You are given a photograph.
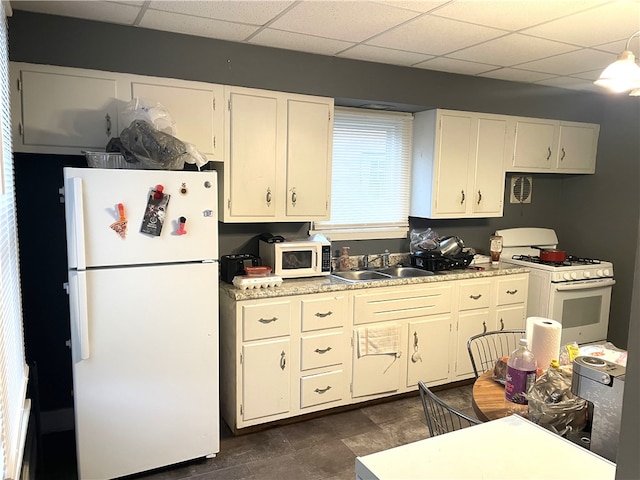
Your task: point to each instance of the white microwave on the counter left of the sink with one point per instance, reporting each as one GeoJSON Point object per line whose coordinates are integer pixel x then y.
{"type": "Point", "coordinates": [297, 258]}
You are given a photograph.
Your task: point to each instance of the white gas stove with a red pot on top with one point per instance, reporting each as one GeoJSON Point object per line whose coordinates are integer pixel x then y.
{"type": "Point", "coordinates": [572, 290]}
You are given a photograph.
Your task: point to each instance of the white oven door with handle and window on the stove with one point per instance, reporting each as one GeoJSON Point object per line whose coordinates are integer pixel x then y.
{"type": "Point", "coordinates": [582, 308]}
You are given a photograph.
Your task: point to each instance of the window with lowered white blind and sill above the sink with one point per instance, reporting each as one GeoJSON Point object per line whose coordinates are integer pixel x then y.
{"type": "Point", "coordinates": [370, 175]}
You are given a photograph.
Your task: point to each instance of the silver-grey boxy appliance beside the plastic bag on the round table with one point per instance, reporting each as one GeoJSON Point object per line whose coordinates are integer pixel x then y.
{"type": "Point", "coordinates": [601, 383]}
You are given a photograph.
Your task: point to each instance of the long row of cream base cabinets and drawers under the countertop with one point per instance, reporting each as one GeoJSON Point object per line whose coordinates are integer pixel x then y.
{"type": "Point", "coordinates": [287, 356]}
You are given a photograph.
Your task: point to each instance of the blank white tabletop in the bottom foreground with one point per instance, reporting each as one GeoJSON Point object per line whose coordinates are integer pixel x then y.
{"type": "Point", "coordinates": [509, 448]}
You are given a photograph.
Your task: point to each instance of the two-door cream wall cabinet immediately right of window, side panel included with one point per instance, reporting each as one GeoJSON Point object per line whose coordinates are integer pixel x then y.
{"type": "Point", "coordinates": [457, 167]}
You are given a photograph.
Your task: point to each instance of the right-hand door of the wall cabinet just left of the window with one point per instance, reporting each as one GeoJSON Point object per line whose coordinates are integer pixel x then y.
{"type": "Point", "coordinates": [309, 140]}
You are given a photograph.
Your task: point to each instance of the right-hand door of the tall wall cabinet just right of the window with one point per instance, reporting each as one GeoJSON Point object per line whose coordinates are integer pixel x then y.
{"type": "Point", "coordinates": [488, 184]}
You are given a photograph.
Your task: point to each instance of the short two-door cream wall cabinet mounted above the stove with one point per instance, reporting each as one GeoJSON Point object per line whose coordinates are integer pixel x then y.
{"type": "Point", "coordinates": [552, 146]}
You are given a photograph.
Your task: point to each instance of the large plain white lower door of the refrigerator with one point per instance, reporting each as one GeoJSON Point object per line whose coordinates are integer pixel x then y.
{"type": "Point", "coordinates": [146, 393]}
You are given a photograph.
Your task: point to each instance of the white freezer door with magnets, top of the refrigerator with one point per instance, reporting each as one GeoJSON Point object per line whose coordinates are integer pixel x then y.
{"type": "Point", "coordinates": [92, 199]}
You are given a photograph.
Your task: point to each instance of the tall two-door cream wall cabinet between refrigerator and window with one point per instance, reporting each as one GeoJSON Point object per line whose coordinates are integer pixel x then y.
{"type": "Point", "coordinates": [278, 160]}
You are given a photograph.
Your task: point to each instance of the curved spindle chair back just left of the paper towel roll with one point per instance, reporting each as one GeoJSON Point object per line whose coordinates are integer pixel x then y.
{"type": "Point", "coordinates": [485, 348]}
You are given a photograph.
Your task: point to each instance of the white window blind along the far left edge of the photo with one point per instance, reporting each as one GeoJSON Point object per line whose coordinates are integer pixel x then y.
{"type": "Point", "coordinates": [14, 407]}
